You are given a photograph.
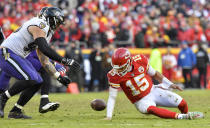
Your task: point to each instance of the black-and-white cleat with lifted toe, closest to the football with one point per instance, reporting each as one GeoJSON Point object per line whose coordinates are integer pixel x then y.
{"type": "Point", "coordinates": [49, 107]}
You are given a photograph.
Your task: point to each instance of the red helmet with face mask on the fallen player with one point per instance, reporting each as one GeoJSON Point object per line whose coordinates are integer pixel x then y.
{"type": "Point", "coordinates": [121, 61]}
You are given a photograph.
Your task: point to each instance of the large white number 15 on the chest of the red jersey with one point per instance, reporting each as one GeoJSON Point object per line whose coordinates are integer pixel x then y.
{"type": "Point", "coordinates": [143, 84]}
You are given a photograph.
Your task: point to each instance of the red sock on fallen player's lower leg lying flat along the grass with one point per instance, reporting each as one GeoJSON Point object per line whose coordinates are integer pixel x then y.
{"type": "Point", "coordinates": [161, 112]}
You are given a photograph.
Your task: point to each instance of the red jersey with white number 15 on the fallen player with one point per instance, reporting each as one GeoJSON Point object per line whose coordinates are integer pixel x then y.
{"type": "Point", "coordinates": [137, 83]}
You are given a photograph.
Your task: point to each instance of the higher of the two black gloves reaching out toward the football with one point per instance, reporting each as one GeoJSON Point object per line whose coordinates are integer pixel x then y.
{"type": "Point", "coordinates": [74, 65]}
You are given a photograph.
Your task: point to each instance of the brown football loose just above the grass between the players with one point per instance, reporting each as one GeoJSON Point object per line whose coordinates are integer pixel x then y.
{"type": "Point", "coordinates": [98, 104]}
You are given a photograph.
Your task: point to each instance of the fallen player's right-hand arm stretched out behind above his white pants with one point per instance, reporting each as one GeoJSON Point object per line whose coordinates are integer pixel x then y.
{"type": "Point", "coordinates": [160, 78]}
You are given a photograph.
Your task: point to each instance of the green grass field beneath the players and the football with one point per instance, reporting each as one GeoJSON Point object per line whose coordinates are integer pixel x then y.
{"type": "Point", "coordinates": [75, 112]}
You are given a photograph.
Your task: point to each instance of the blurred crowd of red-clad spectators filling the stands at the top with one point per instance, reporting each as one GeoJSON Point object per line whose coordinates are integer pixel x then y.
{"type": "Point", "coordinates": [139, 23]}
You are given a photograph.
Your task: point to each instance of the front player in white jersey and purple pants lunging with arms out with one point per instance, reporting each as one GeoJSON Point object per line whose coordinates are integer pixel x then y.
{"type": "Point", "coordinates": [34, 34]}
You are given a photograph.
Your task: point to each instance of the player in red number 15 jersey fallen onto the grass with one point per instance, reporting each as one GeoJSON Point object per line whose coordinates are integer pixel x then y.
{"type": "Point", "coordinates": [133, 74]}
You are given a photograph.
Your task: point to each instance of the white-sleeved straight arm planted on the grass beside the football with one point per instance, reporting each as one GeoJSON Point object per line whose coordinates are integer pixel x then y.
{"type": "Point", "coordinates": [111, 102]}
